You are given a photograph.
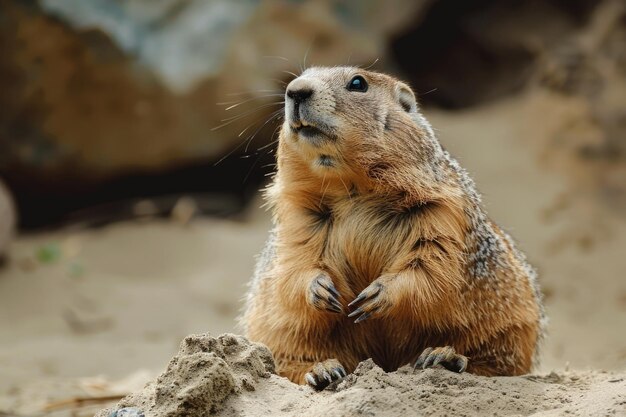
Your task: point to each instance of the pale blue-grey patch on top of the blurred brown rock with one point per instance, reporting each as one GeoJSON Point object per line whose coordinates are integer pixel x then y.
{"type": "Point", "coordinates": [182, 43]}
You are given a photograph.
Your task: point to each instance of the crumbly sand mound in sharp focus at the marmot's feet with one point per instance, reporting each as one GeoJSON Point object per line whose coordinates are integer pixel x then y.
{"type": "Point", "coordinates": [230, 376]}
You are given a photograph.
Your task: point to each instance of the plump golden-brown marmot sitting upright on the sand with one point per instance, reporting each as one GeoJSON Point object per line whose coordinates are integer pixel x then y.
{"type": "Point", "coordinates": [381, 247]}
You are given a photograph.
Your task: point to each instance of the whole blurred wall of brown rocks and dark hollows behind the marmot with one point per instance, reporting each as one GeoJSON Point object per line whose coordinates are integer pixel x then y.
{"type": "Point", "coordinates": [109, 99]}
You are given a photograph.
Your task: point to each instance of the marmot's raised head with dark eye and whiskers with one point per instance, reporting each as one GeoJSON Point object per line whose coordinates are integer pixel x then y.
{"type": "Point", "coordinates": [355, 124]}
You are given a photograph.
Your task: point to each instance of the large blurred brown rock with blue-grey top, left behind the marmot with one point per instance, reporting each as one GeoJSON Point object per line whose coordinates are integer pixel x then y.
{"type": "Point", "coordinates": [98, 88]}
